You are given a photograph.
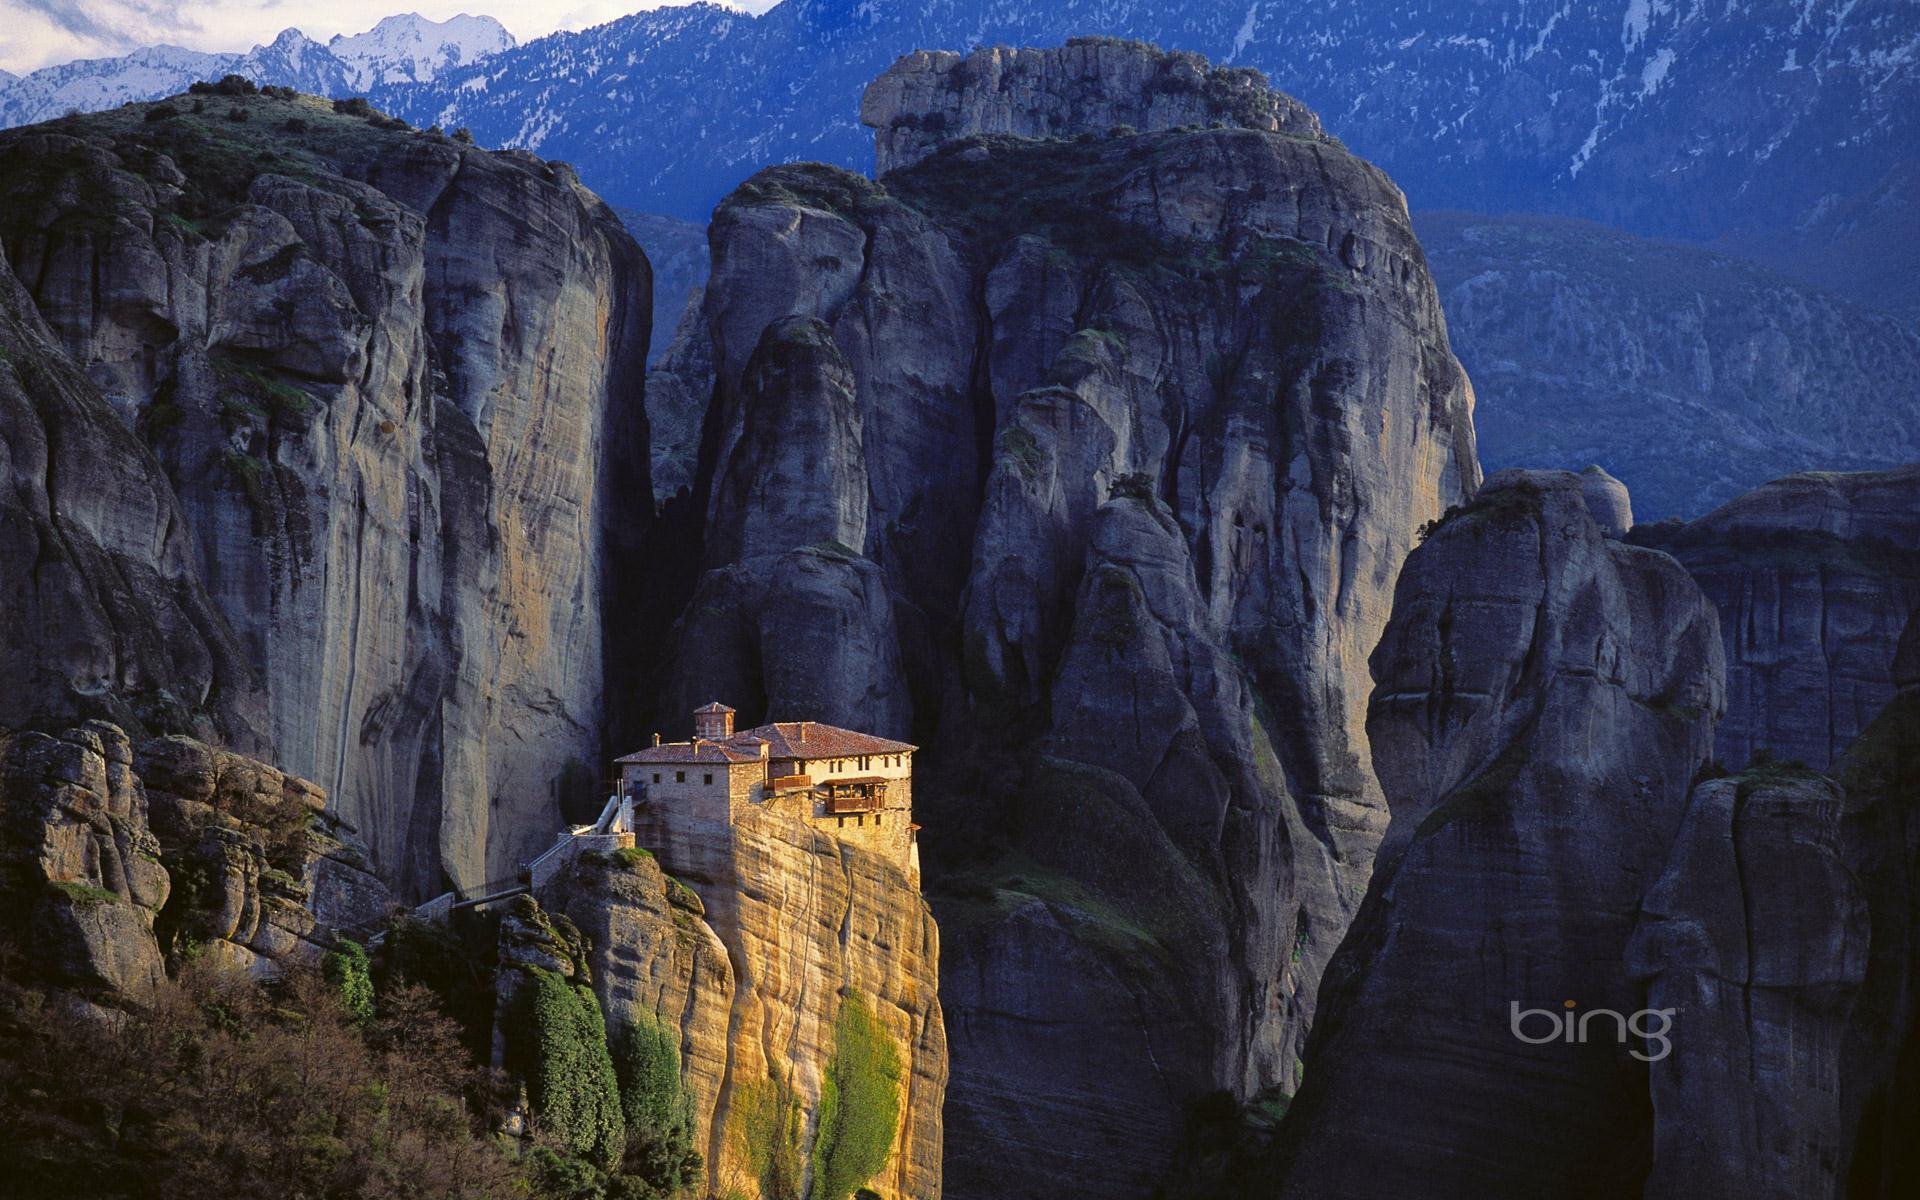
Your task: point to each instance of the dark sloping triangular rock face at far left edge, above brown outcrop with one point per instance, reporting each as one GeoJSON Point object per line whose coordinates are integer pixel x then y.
{"type": "Point", "coordinates": [107, 610]}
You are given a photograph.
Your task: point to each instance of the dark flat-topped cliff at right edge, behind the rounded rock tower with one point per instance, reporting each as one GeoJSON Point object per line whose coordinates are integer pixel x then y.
{"type": "Point", "coordinates": [1815, 579]}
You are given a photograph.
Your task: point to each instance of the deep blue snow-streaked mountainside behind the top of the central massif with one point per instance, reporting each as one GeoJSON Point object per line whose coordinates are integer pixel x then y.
{"type": "Point", "coordinates": [1664, 116]}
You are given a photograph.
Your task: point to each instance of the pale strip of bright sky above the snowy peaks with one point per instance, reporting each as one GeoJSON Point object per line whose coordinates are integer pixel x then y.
{"type": "Point", "coordinates": [36, 34]}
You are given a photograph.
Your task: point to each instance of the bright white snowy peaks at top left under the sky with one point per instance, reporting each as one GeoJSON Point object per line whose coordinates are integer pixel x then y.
{"type": "Point", "coordinates": [406, 49]}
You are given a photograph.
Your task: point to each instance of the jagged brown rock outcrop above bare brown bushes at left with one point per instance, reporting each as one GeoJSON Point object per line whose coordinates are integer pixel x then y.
{"type": "Point", "coordinates": [118, 859]}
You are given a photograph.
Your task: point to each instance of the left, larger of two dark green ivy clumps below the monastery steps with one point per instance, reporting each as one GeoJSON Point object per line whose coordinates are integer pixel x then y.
{"type": "Point", "coordinates": [562, 1051]}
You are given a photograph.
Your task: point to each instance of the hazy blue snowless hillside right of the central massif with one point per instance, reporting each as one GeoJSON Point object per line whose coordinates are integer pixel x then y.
{"type": "Point", "coordinates": [1691, 375]}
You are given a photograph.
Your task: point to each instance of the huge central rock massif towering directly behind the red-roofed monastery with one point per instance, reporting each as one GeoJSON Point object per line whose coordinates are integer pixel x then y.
{"type": "Point", "coordinates": [1088, 466]}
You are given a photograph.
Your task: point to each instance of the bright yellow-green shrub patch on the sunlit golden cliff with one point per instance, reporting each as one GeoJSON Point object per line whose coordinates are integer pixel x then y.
{"type": "Point", "coordinates": [859, 1103]}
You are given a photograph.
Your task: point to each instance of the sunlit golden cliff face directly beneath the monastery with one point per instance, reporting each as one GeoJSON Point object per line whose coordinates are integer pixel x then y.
{"type": "Point", "coordinates": [748, 953]}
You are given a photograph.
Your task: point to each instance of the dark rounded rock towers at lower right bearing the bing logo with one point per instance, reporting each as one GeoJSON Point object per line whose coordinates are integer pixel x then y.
{"type": "Point", "coordinates": [1545, 704]}
